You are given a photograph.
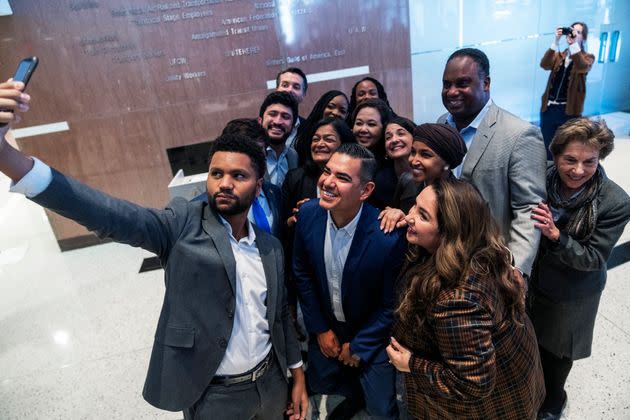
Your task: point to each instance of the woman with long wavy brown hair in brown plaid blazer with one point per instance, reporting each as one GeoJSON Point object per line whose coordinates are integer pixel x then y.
{"type": "Point", "coordinates": [461, 337]}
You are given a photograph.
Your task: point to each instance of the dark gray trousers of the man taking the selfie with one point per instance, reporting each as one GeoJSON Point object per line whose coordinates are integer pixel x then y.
{"type": "Point", "coordinates": [265, 399]}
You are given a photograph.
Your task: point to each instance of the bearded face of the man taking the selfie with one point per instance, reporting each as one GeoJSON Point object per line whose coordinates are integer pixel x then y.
{"type": "Point", "coordinates": [232, 184]}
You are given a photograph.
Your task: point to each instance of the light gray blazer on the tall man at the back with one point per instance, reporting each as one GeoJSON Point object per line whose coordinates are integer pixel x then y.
{"type": "Point", "coordinates": [507, 161]}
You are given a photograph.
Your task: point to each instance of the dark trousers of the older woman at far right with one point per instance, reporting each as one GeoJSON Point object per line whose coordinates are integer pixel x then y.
{"type": "Point", "coordinates": [556, 370]}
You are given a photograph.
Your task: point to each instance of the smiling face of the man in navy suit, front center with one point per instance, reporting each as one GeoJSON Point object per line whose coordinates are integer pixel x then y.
{"type": "Point", "coordinates": [340, 186]}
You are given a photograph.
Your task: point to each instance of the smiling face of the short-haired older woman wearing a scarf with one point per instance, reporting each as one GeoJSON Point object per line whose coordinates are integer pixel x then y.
{"type": "Point", "coordinates": [576, 165]}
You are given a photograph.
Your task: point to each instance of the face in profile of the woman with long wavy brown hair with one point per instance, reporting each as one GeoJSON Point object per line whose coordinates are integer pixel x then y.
{"type": "Point", "coordinates": [422, 224]}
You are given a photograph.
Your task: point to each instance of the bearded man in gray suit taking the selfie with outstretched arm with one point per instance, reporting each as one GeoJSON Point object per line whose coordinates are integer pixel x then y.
{"type": "Point", "coordinates": [224, 339]}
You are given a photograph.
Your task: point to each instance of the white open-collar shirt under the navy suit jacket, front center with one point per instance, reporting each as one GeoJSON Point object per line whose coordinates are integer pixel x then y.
{"type": "Point", "coordinates": [336, 248]}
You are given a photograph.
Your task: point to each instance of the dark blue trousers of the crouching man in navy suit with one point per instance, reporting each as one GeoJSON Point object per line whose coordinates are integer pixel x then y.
{"type": "Point", "coordinates": [375, 382]}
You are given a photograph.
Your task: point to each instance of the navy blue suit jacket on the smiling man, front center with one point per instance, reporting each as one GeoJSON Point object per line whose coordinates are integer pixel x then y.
{"type": "Point", "coordinates": [367, 284]}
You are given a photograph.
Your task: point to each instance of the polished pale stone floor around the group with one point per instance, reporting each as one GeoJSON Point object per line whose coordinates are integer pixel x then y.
{"type": "Point", "coordinates": [76, 328]}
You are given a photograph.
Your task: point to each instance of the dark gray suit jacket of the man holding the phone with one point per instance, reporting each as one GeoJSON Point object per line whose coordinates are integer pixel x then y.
{"type": "Point", "coordinates": [200, 272]}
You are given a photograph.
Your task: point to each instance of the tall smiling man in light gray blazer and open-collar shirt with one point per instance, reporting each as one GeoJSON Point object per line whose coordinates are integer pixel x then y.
{"type": "Point", "coordinates": [506, 157]}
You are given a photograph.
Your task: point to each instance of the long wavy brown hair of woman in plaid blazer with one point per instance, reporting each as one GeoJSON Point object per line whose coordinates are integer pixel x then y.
{"type": "Point", "coordinates": [470, 244]}
